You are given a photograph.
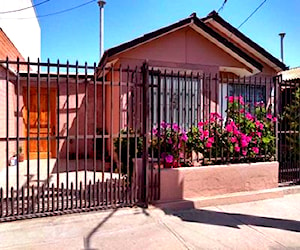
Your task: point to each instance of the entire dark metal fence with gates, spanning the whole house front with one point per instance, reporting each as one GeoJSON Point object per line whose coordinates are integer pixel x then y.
{"type": "Point", "coordinates": [78, 137]}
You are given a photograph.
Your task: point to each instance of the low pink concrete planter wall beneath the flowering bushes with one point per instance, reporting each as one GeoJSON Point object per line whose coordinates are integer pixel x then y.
{"type": "Point", "coordinates": [192, 182]}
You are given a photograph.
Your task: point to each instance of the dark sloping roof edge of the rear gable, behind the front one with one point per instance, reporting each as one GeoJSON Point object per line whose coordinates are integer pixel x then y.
{"type": "Point", "coordinates": [215, 16]}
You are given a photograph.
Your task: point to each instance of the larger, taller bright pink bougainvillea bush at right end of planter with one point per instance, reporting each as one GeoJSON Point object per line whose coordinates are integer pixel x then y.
{"type": "Point", "coordinates": [249, 131]}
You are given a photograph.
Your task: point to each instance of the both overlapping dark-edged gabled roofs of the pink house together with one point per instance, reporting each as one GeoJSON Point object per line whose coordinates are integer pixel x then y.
{"type": "Point", "coordinates": [217, 37]}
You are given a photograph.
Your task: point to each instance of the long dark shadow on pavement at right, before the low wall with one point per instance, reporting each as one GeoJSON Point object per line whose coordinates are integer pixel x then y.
{"type": "Point", "coordinates": [234, 220]}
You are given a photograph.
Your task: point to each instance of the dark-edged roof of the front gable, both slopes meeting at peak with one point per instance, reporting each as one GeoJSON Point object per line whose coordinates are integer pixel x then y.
{"type": "Point", "coordinates": [196, 23]}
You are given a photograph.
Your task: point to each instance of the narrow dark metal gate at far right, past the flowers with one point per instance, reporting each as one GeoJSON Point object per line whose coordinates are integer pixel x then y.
{"type": "Point", "coordinates": [289, 131]}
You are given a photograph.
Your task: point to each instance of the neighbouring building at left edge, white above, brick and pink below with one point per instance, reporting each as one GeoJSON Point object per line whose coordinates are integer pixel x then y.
{"type": "Point", "coordinates": [20, 37]}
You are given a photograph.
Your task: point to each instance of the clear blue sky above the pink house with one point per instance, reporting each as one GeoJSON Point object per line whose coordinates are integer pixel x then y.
{"type": "Point", "coordinates": [74, 35]}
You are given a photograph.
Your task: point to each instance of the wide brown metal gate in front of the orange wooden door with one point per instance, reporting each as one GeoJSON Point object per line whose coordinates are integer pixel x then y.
{"type": "Point", "coordinates": [70, 138]}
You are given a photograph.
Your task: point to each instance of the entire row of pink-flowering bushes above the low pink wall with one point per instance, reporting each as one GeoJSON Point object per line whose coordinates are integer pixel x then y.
{"type": "Point", "coordinates": [245, 134]}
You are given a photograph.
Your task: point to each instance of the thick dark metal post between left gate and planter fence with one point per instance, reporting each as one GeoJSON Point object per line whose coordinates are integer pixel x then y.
{"type": "Point", "coordinates": [145, 129]}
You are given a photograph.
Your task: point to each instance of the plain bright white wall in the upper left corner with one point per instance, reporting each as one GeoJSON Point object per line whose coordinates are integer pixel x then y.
{"type": "Point", "coordinates": [24, 33]}
